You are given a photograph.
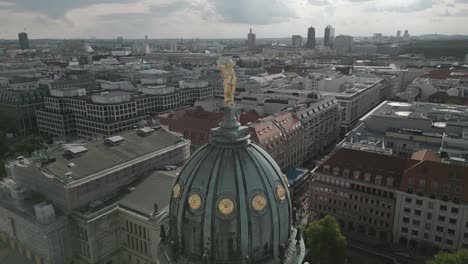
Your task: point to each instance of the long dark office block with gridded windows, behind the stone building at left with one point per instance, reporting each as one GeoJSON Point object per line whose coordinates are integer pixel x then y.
{"type": "Point", "coordinates": [74, 112]}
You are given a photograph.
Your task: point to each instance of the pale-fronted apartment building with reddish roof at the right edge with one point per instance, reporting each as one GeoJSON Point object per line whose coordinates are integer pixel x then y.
{"type": "Point", "coordinates": [432, 210]}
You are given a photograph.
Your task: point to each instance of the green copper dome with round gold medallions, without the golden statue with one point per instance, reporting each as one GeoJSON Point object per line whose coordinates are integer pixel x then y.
{"type": "Point", "coordinates": [230, 204]}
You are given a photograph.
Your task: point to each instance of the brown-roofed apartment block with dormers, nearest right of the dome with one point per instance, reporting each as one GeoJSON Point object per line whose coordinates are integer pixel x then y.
{"type": "Point", "coordinates": [359, 189]}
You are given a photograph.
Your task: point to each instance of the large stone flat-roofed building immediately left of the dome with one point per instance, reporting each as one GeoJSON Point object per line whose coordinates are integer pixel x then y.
{"type": "Point", "coordinates": [90, 202]}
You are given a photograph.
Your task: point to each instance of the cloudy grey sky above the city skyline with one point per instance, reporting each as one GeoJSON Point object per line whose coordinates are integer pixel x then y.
{"type": "Point", "coordinates": [227, 18]}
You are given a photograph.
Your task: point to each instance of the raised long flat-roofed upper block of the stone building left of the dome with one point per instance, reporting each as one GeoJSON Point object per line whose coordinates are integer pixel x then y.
{"type": "Point", "coordinates": [70, 176]}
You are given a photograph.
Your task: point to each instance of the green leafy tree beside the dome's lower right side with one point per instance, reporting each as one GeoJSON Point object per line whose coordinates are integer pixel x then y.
{"type": "Point", "coordinates": [325, 242]}
